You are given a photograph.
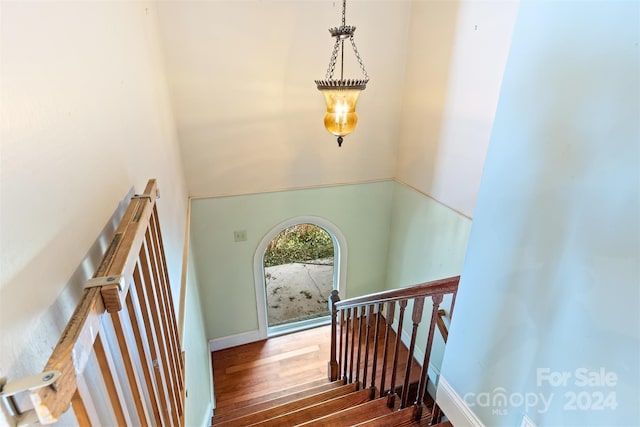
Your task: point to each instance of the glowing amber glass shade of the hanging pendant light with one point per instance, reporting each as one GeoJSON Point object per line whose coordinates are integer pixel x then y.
{"type": "Point", "coordinates": [341, 117]}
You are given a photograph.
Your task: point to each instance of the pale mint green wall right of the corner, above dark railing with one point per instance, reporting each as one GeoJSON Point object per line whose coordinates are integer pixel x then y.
{"type": "Point", "coordinates": [427, 241]}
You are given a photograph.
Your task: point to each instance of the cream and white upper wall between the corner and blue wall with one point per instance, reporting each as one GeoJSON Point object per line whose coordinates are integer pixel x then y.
{"type": "Point", "coordinates": [455, 59]}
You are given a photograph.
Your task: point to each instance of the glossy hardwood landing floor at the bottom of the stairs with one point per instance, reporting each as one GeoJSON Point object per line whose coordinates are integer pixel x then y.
{"type": "Point", "coordinates": [267, 369]}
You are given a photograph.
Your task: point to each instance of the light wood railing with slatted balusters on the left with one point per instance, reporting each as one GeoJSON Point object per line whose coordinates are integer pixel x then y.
{"type": "Point", "coordinates": [118, 360]}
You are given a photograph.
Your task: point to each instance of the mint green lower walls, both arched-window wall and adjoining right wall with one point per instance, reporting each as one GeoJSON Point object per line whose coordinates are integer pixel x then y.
{"type": "Point", "coordinates": [396, 237]}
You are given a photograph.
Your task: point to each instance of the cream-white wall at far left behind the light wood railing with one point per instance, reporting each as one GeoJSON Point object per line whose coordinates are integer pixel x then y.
{"type": "Point", "coordinates": [85, 117]}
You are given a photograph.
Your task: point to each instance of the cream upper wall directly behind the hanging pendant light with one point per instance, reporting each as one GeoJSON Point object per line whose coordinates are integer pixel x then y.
{"type": "Point", "coordinates": [248, 114]}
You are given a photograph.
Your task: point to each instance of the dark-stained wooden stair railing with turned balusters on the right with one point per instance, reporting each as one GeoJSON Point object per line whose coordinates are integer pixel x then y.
{"type": "Point", "coordinates": [360, 326]}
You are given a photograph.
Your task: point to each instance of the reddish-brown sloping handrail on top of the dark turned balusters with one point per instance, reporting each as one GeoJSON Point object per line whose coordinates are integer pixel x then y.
{"type": "Point", "coordinates": [427, 289]}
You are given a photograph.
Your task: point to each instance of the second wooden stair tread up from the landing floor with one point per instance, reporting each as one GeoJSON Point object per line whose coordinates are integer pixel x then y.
{"type": "Point", "coordinates": [288, 407]}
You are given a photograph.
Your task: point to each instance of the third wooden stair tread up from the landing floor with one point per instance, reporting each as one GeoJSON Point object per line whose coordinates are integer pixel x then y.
{"type": "Point", "coordinates": [317, 410]}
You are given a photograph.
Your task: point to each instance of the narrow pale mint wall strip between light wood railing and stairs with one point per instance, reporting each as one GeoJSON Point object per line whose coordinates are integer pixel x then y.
{"type": "Point", "coordinates": [198, 358]}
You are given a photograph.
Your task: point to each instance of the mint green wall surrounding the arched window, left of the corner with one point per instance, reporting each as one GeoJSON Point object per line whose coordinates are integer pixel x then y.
{"type": "Point", "coordinates": [224, 268]}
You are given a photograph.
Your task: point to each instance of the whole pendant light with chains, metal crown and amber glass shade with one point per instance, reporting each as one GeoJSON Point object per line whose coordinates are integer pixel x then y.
{"type": "Point", "coordinates": [341, 95]}
